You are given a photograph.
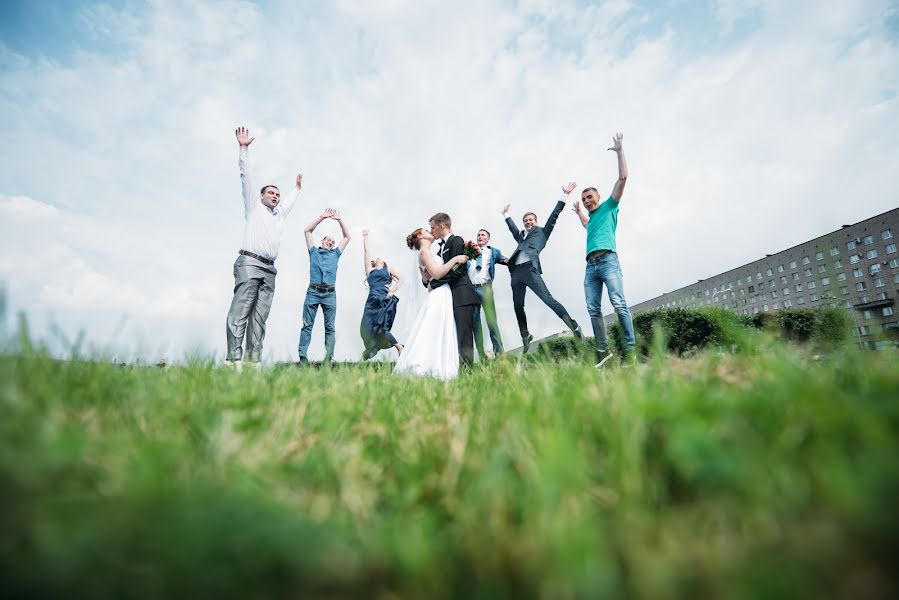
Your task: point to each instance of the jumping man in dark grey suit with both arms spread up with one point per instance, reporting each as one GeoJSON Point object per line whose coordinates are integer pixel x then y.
{"type": "Point", "coordinates": [525, 269]}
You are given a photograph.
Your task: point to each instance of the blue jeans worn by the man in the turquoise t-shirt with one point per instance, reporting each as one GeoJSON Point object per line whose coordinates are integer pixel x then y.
{"type": "Point", "coordinates": [606, 270]}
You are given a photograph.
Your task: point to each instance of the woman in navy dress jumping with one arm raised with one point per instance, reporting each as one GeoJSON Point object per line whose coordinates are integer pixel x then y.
{"type": "Point", "coordinates": [380, 306]}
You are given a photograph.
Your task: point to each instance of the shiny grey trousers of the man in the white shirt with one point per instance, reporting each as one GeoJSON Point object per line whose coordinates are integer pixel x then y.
{"type": "Point", "coordinates": [254, 288]}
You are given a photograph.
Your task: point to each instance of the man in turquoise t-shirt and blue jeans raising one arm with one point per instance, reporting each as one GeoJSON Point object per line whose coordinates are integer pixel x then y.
{"type": "Point", "coordinates": [603, 268]}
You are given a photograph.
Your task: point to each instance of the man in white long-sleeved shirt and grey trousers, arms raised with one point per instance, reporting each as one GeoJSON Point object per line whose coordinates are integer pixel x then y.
{"type": "Point", "coordinates": [254, 269]}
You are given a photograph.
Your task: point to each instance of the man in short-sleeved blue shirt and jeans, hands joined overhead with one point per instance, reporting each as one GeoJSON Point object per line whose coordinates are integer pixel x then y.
{"type": "Point", "coordinates": [322, 278]}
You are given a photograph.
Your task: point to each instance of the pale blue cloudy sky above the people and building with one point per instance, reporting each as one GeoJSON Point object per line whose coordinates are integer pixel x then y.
{"type": "Point", "coordinates": [749, 126]}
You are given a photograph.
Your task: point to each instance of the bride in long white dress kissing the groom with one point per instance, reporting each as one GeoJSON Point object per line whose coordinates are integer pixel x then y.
{"type": "Point", "coordinates": [431, 347]}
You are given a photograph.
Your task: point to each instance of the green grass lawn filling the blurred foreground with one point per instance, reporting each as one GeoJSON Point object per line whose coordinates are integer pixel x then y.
{"type": "Point", "coordinates": [766, 474]}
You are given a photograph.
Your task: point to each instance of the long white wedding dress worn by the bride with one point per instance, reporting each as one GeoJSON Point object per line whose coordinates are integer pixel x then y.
{"type": "Point", "coordinates": [431, 348]}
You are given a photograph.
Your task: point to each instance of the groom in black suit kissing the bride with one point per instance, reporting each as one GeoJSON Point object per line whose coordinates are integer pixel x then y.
{"type": "Point", "coordinates": [464, 295]}
